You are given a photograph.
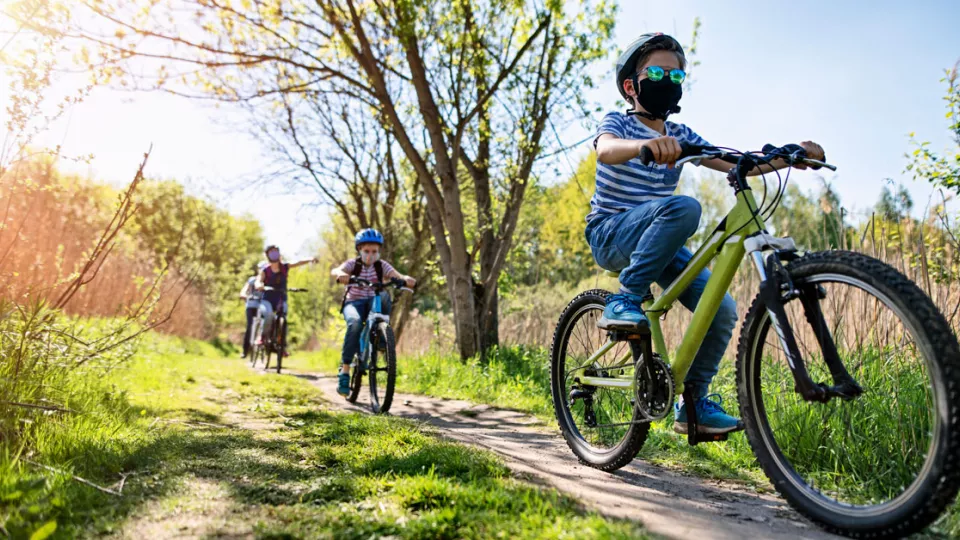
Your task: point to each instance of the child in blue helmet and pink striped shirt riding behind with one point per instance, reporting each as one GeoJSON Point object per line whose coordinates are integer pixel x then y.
{"type": "Point", "coordinates": [358, 300]}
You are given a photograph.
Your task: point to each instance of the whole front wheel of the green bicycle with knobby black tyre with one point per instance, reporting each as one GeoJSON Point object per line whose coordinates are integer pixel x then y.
{"type": "Point", "coordinates": [884, 463]}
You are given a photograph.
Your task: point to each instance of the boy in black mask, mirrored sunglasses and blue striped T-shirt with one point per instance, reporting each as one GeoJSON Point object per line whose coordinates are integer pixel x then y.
{"type": "Point", "coordinates": [638, 227]}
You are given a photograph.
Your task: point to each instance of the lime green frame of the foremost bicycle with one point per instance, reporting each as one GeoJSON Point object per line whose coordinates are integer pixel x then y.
{"type": "Point", "coordinates": [726, 246]}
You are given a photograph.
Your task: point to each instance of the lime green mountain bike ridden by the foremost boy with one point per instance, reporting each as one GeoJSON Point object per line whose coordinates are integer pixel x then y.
{"type": "Point", "coordinates": [874, 452]}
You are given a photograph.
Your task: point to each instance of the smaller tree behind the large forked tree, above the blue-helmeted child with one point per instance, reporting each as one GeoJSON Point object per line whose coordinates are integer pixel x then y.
{"type": "Point", "coordinates": [357, 168]}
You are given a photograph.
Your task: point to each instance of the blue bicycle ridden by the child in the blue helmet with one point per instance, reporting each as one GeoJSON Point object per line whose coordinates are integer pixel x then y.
{"type": "Point", "coordinates": [377, 358]}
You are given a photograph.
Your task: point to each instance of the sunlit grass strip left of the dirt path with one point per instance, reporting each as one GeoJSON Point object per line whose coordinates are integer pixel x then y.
{"type": "Point", "coordinates": [211, 447]}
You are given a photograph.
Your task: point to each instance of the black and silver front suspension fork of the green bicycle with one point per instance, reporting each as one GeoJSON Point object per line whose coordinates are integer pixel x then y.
{"type": "Point", "coordinates": [776, 287]}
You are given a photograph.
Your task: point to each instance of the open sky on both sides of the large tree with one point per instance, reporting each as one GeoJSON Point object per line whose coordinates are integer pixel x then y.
{"type": "Point", "coordinates": [856, 77]}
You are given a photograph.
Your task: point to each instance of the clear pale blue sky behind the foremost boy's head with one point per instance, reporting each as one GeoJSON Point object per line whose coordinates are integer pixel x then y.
{"type": "Point", "coordinates": [857, 77]}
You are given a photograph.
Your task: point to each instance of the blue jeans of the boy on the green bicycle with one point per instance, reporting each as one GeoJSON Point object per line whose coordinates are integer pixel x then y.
{"type": "Point", "coordinates": [645, 244]}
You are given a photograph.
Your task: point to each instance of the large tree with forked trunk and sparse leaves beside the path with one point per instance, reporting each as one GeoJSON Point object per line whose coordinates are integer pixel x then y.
{"type": "Point", "coordinates": [472, 84]}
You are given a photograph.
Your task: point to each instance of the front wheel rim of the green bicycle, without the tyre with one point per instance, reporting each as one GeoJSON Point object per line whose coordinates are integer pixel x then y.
{"type": "Point", "coordinates": [864, 457]}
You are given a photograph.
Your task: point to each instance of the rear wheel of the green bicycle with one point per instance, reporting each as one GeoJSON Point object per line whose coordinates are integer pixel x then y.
{"type": "Point", "coordinates": [598, 423]}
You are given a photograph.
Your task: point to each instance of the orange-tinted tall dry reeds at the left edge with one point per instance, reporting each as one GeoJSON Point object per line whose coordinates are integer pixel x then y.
{"type": "Point", "coordinates": [50, 228]}
